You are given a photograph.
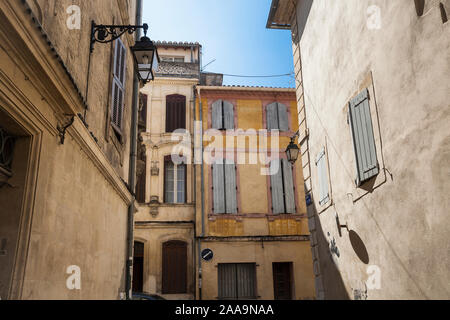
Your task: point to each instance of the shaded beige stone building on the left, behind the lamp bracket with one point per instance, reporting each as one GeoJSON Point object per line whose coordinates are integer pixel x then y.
{"type": "Point", "coordinates": [65, 149]}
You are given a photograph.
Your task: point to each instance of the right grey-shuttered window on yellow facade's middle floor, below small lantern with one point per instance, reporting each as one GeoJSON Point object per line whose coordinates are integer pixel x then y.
{"type": "Point", "coordinates": [282, 187]}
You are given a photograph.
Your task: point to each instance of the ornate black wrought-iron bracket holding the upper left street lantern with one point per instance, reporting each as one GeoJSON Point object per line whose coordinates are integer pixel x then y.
{"type": "Point", "coordinates": [108, 33]}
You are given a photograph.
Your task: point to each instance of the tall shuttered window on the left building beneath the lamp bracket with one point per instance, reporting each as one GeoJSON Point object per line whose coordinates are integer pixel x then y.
{"type": "Point", "coordinates": [118, 85]}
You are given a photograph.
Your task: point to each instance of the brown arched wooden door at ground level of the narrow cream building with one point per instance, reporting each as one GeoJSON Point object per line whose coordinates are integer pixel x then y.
{"type": "Point", "coordinates": [174, 267]}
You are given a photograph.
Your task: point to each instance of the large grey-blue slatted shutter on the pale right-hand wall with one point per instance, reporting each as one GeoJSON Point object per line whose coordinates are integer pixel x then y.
{"type": "Point", "coordinates": [363, 137]}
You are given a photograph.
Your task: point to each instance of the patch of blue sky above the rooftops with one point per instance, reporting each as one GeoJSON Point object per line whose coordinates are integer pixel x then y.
{"type": "Point", "coordinates": [231, 31]}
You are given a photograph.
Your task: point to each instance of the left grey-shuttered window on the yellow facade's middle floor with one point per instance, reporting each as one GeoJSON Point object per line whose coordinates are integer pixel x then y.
{"type": "Point", "coordinates": [224, 187]}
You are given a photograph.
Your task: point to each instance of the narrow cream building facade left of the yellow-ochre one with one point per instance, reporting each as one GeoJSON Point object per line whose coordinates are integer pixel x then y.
{"type": "Point", "coordinates": [164, 223]}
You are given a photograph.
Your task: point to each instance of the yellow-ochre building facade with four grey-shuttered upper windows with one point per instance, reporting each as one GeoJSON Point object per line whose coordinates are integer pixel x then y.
{"type": "Point", "coordinates": [251, 226]}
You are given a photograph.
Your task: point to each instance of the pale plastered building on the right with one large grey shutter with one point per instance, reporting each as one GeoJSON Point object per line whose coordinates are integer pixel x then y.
{"type": "Point", "coordinates": [373, 105]}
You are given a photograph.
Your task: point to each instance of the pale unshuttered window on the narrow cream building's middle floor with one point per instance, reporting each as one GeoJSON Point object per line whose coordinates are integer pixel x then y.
{"type": "Point", "coordinates": [174, 181]}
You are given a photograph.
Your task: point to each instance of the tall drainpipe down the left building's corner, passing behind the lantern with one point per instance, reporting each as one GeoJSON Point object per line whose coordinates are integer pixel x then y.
{"type": "Point", "coordinates": [132, 168]}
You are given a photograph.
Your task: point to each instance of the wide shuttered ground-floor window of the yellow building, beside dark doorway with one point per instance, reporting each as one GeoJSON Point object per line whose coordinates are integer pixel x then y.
{"type": "Point", "coordinates": [237, 281]}
